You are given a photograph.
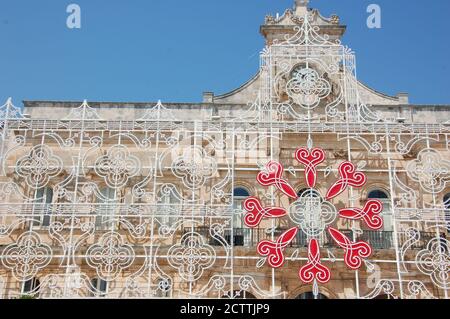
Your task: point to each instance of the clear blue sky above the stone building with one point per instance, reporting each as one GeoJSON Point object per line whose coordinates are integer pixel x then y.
{"type": "Point", "coordinates": [145, 50]}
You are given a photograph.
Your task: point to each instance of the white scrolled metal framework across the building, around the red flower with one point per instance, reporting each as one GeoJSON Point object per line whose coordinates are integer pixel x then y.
{"type": "Point", "coordinates": [144, 208]}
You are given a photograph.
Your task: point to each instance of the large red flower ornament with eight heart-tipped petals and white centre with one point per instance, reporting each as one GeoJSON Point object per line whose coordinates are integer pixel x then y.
{"type": "Point", "coordinates": [313, 215]}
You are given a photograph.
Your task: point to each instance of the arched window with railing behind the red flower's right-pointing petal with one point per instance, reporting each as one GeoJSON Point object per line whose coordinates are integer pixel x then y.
{"type": "Point", "coordinates": [383, 239]}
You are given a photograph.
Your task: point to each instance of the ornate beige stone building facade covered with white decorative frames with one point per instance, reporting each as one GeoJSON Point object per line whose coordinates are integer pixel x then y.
{"type": "Point", "coordinates": [263, 192]}
